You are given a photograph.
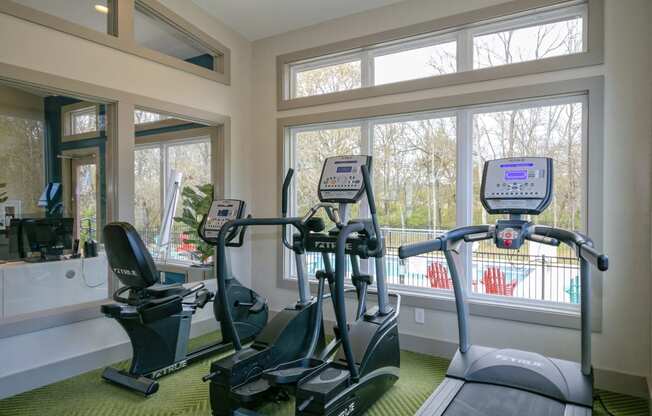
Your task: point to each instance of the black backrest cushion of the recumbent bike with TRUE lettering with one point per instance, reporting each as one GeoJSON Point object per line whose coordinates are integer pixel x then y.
{"type": "Point", "coordinates": [128, 256]}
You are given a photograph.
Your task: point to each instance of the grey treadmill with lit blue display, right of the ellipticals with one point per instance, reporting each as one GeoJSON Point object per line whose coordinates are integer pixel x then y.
{"type": "Point", "coordinates": [509, 382]}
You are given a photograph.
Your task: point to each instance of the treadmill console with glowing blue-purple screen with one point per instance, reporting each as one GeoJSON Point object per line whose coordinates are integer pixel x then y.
{"type": "Point", "coordinates": [520, 185]}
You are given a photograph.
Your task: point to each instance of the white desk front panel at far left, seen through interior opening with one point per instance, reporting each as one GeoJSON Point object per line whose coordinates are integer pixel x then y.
{"type": "Point", "coordinates": [30, 287]}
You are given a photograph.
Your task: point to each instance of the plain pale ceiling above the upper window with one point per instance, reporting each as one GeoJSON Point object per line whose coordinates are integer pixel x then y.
{"type": "Point", "coordinates": [257, 19]}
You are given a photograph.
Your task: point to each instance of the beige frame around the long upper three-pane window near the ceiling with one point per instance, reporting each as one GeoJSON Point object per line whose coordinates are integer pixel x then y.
{"type": "Point", "coordinates": [460, 27]}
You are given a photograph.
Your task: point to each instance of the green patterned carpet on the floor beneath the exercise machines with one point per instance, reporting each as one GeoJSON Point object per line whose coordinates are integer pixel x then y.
{"type": "Point", "coordinates": [184, 394]}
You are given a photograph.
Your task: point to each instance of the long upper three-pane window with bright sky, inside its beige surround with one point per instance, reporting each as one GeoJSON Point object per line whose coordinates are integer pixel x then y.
{"type": "Point", "coordinates": [542, 33]}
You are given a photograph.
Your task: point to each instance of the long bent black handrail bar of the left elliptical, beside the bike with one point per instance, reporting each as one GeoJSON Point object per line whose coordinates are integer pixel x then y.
{"type": "Point", "coordinates": [221, 265]}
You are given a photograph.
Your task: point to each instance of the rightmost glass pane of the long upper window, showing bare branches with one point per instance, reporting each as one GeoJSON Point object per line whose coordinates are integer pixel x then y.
{"type": "Point", "coordinates": [528, 43]}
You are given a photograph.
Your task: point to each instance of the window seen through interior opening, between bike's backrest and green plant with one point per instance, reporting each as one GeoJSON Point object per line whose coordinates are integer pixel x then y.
{"type": "Point", "coordinates": [156, 167]}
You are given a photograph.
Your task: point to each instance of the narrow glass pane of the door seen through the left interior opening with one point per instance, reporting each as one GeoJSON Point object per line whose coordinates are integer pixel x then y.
{"type": "Point", "coordinates": [87, 202]}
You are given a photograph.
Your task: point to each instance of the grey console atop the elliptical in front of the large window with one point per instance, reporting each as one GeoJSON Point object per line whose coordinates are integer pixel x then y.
{"type": "Point", "coordinates": [341, 179]}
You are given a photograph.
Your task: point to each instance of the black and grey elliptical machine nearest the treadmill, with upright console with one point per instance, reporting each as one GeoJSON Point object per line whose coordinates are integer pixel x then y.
{"type": "Point", "coordinates": [368, 362]}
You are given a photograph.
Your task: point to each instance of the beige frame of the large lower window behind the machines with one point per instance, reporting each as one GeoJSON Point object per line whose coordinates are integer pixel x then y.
{"type": "Point", "coordinates": [589, 90]}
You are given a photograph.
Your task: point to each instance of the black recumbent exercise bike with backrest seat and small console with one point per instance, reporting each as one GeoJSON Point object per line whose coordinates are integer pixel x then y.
{"type": "Point", "coordinates": [157, 317]}
